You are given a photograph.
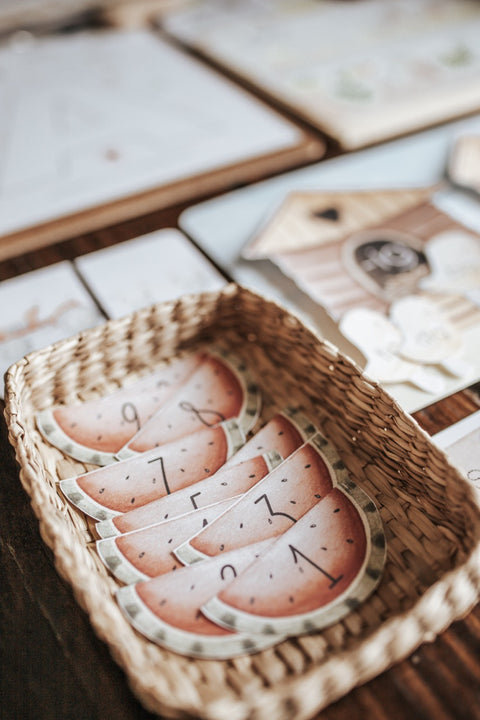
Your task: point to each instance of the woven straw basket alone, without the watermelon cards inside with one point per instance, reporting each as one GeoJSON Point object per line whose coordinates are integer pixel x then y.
{"type": "Point", "coordinates": [431, 518]}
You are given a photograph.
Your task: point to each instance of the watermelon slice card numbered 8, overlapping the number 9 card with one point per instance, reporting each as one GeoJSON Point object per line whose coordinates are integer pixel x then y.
{"type": "Point", "coordinates": [220, 389]}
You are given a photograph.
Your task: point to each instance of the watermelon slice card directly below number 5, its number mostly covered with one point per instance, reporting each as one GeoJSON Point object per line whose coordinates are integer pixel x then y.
{"type": "Point", "coordinates": [146, 553]}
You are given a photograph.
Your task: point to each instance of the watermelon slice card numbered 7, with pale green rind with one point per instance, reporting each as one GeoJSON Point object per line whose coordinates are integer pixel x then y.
{"type": "Point", "coordinates": [117, 488]}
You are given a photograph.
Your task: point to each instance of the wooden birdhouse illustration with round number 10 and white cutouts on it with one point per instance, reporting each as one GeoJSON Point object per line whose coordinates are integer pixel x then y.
{"type": "Point", "coordinates": [399, 275]}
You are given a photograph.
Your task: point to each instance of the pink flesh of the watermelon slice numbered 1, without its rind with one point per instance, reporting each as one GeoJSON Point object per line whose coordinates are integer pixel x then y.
{"type": "Point", "coordinates": [308, 567]}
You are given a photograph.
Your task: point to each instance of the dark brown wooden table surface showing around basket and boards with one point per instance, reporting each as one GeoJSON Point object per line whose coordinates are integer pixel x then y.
{"type": "Point", "coordinates": [53, 665]}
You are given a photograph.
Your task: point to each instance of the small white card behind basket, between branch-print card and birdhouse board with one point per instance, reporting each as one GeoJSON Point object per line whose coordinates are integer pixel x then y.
{"type": "Point", "coordinates": [156, 267]}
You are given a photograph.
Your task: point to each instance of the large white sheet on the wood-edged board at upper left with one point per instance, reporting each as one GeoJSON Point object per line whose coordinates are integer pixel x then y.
{"type": "Point", "coordinates": [94, 117]}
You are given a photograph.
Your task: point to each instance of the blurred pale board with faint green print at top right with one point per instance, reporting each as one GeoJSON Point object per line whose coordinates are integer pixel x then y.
{"type": "Point", "coordinates": [360, 71]}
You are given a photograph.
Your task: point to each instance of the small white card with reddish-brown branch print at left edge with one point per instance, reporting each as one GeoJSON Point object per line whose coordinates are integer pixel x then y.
{"type": "Point", "coordinates": [43, 306]}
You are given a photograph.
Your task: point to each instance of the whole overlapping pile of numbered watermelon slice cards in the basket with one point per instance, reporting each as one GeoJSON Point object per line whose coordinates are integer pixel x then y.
{"type": "Point", "coordinates": [227, 540]}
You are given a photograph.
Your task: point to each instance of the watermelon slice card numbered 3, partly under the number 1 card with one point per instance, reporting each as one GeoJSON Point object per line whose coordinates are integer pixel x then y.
{"type": "Point", "coordinates": [273, 505]}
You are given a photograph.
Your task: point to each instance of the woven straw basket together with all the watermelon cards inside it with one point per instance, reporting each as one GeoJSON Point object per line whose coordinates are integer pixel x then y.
{"type": "Point", "coordinates": [253, 525]}
